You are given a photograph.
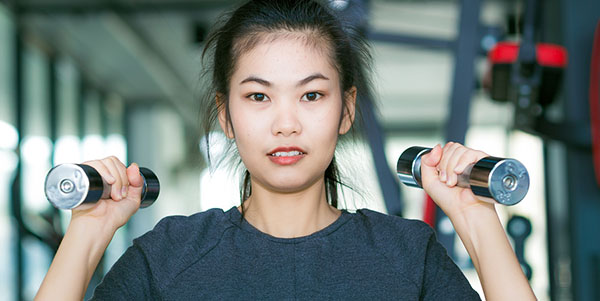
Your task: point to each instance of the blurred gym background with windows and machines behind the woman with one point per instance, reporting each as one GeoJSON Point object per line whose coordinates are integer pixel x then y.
{"type": "Point", "coordinates": [84, 79]}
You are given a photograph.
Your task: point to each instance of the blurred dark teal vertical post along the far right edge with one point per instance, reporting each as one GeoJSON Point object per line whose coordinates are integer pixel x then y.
{"type": "Point", "coordinates": [579, 21]}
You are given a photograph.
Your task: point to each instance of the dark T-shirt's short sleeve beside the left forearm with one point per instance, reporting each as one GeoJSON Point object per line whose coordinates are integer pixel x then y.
{"type": "Point", "coordinates": [128, 279]}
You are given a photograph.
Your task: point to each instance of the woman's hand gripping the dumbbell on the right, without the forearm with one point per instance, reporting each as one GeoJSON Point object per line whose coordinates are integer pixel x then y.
{"type": "Point", "coordinates": [439, 174]}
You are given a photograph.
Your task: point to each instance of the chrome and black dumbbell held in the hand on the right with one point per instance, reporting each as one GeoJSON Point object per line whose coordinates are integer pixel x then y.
{"type": "Point", "coordinates": [497, 180]}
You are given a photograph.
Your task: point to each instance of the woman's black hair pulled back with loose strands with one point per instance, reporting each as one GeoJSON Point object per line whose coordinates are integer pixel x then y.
{"type": "Point", "coordinates": [250, 24]}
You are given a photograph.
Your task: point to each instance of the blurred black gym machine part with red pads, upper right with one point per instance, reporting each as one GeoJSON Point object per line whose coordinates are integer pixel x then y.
{"type": "Point", "coordinates": [528, 74]}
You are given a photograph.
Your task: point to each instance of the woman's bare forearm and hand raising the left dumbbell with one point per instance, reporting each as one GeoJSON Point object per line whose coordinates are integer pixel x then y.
{"type": "Point", "coordinates": [90, 231]}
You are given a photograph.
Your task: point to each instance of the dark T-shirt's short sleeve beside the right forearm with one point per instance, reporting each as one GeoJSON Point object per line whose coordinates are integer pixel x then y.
{"type": "Point", "coordinates": [442, 279]}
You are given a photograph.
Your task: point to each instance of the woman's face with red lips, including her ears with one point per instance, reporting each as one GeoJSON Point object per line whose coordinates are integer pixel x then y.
{"type": "Point", "coordinates": [285, 106]}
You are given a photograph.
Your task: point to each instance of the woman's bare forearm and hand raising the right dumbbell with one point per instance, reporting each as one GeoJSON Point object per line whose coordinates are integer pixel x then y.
{"type": "Point", "coordinates": [476, 223]}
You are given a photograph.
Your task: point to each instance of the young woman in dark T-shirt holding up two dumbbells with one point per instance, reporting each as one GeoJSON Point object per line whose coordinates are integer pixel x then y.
{"type": "Point", "coordinates": [287, 78]}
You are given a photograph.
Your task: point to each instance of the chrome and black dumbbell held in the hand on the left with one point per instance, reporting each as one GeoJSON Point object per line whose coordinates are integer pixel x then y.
{"type": "Point", "coordinates": [70, 185]}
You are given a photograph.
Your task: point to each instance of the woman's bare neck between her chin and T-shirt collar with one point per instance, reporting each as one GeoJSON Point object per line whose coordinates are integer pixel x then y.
{"type": "Point", "coordinates": [289, 215]}
